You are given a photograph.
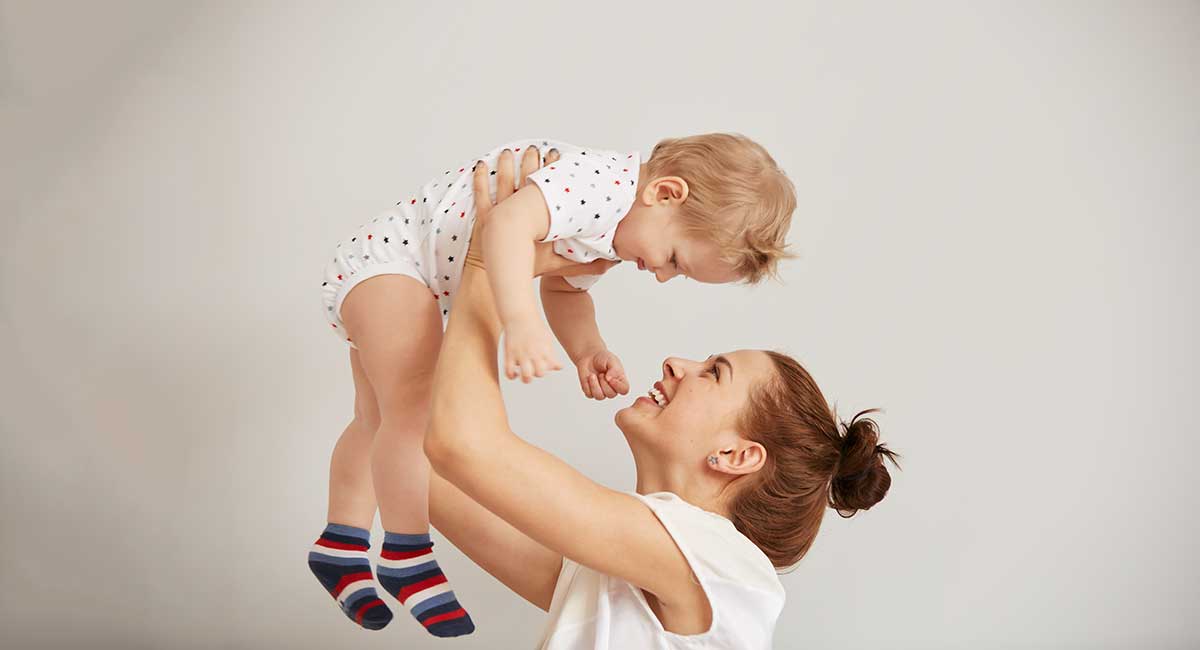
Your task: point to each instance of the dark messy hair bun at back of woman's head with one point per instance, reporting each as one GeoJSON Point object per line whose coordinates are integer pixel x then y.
{"type": "Point", "coordinates": [861, 480]}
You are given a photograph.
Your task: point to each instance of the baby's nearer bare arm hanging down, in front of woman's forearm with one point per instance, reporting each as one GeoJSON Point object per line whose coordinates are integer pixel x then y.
{"type": "Point", "coordinates": [509, 238]}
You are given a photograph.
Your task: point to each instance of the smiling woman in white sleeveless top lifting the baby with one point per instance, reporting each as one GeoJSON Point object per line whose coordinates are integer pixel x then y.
{"type": "Point", "coordinates": [737, 459]}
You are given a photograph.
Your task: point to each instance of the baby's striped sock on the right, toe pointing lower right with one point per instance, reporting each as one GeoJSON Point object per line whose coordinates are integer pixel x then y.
{"type": "Point", "coordinates": [409, 571]}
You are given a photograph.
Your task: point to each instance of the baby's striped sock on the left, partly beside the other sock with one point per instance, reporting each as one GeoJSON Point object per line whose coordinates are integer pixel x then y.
{"type": "Point", "coordinates": [339, 559]}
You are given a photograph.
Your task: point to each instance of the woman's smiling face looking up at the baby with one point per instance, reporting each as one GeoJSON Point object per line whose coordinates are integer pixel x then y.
{"type": "Point", "coordinates": [703, 404]}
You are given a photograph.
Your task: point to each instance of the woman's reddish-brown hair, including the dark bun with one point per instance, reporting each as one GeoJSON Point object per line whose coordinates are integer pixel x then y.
{"type": "Point", "coordinates": [813, 462]}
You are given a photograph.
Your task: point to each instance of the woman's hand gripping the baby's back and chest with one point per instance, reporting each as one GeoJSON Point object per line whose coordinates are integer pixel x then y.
{"type": "Point", "coordinates": [547, 261]}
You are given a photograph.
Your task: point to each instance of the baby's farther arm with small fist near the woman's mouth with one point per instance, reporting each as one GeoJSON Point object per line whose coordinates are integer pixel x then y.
{"type": "Point", "coordinates": [572, 316]}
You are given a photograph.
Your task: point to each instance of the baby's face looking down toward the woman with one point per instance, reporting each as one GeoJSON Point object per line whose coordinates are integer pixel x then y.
{"type": "Point", "coordinates": [656, 240]}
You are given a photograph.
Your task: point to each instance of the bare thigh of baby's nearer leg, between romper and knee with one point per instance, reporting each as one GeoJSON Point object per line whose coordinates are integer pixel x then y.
{"type": "Point", "coordinates": [397, 326]}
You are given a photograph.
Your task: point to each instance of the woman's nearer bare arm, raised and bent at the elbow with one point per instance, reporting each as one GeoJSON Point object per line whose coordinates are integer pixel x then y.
{"type": "Point", "coordinates": [470, 444]}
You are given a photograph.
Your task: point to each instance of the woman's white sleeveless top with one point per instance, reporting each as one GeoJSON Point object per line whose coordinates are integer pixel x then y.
{"type": "Point", "coordinates": [598, 612]}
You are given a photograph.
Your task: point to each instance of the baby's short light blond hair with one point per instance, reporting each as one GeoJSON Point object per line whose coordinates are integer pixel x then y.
{"type": "Point", "coordinates": [737, 198]}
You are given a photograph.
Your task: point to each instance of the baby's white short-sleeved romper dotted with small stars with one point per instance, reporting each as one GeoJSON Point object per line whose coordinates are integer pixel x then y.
{"type": "Point", "coordinates": [425, 236]}
